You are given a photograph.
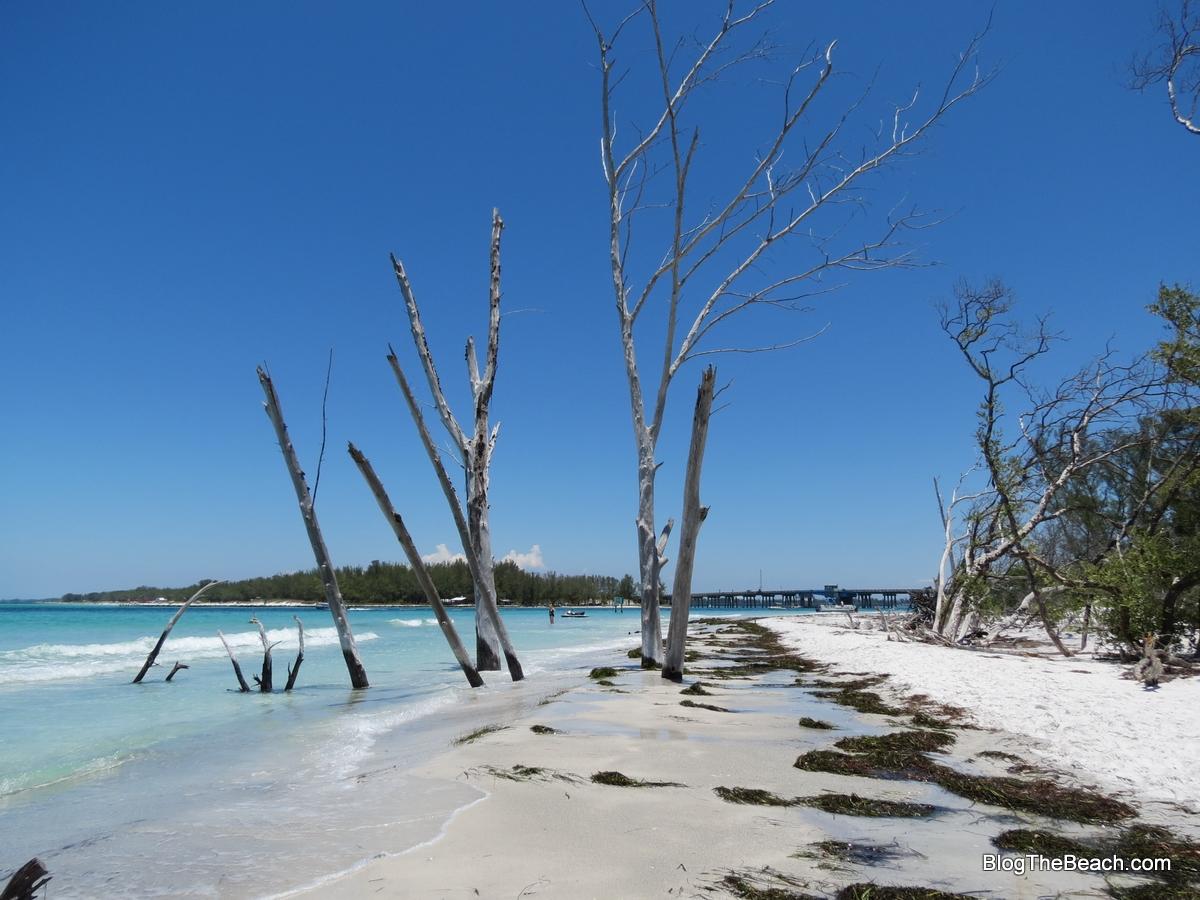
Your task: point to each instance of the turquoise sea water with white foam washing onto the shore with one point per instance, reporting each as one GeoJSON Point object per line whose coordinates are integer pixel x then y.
{"type": "Point", "coordinates": [193, 789]}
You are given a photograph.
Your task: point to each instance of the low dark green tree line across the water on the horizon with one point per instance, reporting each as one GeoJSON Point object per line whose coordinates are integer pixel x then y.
{"type": "Point", "coordinates": [385, 583]}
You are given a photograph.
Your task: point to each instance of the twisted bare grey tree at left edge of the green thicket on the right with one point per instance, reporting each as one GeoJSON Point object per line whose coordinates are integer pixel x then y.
{"type": "Point", "coordinates": [1029, 470]}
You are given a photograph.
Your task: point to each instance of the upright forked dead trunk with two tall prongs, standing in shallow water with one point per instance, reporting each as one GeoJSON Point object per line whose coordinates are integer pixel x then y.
{"type": "Point", "coordinates": [477, 447]}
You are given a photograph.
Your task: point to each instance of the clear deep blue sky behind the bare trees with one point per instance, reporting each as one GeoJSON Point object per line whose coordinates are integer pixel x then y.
{"type": "Point", "coordinates": [190, 190]}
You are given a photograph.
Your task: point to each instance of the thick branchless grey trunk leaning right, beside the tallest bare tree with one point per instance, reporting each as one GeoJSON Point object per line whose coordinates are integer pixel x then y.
{"type": "Point", "coordinates": [693, 519]}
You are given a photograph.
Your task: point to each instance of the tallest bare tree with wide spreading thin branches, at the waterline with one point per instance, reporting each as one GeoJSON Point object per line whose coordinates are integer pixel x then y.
{"type": "Point", "coordinates": [799, 189]}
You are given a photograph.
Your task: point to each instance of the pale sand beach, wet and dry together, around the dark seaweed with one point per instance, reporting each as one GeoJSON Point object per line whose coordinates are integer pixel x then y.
{"type": "Point", "coordinates": [543, 829]}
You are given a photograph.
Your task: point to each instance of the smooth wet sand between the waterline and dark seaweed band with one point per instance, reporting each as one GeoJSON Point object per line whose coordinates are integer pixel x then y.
{"type": "Point", "coordinates": [560, 836]}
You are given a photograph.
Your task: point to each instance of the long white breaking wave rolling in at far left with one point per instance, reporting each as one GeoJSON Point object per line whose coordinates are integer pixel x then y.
{"type": "Point", "coordinates": [58, 662]}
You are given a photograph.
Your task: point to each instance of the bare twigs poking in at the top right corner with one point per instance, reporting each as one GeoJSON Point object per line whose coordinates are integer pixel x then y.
{"type": "Point", "coordinates": [1175, 62]}
